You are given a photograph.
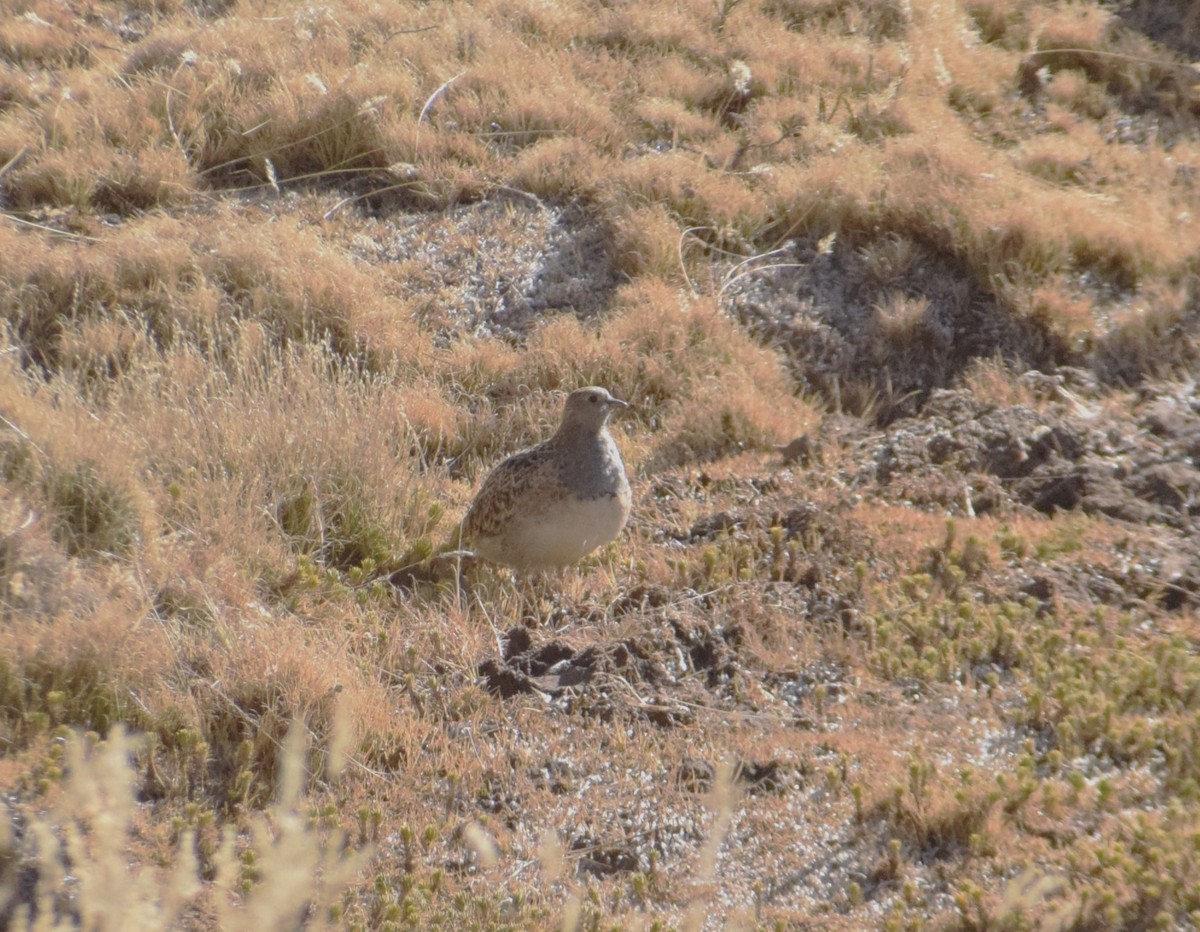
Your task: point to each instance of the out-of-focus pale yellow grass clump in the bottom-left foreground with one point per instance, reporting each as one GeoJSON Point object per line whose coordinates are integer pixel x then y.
{"type": "Point", "coordinates": [298, 873]}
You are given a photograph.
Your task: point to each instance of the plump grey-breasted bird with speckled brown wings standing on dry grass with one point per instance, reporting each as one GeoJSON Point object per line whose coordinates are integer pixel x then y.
{"type": "Point", "coordinates": [551, 506]}
